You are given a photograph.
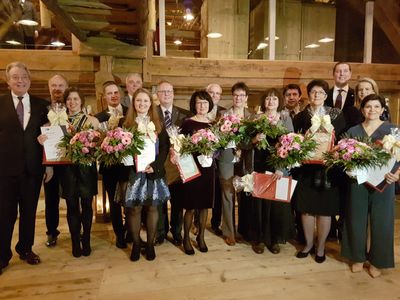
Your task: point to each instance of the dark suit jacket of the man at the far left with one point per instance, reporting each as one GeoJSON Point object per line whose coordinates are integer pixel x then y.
{"type": "Point", "coordinates": [20, 152]}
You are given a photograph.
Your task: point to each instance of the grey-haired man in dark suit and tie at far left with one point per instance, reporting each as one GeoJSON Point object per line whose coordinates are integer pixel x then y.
{"type": "Point", "coordinates": [21, 172]}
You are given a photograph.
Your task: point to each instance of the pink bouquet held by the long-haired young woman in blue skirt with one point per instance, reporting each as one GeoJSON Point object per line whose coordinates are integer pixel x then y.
{"type": "Point", "coordinates": [118, 143]}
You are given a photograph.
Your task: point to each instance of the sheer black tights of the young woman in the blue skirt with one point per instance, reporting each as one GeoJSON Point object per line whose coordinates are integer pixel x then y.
{"type": "Point", "coordinates": [135, 221]}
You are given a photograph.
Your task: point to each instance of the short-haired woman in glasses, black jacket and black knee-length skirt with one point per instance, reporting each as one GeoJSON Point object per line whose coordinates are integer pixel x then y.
{"type": "Point", "coordinates": [317, 193]}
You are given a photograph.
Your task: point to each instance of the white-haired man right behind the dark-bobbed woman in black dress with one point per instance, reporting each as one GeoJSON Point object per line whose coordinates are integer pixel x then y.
{"type": "Point", "coordinates": [215, 92]}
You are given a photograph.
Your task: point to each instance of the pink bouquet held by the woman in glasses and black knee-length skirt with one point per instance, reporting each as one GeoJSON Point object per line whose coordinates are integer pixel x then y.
{"type": "Point", "coordinates": [291, 151]}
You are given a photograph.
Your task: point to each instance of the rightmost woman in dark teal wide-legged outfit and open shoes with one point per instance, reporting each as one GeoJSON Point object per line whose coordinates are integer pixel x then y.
{"type": "Point", "coordinates": [367, 205]}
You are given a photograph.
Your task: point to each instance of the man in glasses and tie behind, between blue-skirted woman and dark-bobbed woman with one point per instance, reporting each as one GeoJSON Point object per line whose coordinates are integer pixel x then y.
{"type": "Point", "coordinates": [170, 115]}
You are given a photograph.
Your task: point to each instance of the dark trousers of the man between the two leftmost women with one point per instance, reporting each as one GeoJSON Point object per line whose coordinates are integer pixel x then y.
{"type": "Point", "coordinates": [110, 180]}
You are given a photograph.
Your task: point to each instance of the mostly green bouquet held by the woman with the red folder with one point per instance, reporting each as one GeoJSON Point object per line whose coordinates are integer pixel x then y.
{"type": "Point", "coordinates": [266, 125]}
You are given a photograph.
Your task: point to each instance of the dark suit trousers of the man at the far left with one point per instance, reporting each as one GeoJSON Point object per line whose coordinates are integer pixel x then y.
{"type": "Point", "coordinates": [18, 192]}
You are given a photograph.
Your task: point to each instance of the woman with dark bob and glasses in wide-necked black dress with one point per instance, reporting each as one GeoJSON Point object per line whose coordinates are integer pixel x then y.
{"type": "Point", "coordinates": [198, 194]}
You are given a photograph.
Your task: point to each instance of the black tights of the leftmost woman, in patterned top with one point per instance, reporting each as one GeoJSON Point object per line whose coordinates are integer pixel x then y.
{"type": "Point", "coordinates": [79, 212]}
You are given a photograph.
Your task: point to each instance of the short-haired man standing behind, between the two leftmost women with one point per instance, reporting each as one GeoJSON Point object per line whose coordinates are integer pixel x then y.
{"type": "Point", "coordinates": [111, 175]}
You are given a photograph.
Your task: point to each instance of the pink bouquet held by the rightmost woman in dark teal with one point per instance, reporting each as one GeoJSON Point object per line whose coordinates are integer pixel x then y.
{"type": "Point", "coordinates": [351, 154]}
